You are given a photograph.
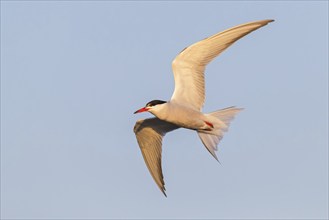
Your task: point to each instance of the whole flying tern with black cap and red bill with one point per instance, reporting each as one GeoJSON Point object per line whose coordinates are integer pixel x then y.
{"type": "Point", "coordinates": [184, 109]}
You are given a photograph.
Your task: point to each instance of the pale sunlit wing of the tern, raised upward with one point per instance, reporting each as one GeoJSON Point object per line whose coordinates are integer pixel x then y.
{"type": "Point", "coordinates": [189, 65]}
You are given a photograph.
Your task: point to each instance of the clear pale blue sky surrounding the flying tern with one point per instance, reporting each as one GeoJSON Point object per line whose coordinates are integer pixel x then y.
{"type": "Point", "coordinates": [73, 73]}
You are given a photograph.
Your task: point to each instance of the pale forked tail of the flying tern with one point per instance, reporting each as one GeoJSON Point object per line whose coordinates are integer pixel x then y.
{"type": "Point", "coordinates": [221, 120]}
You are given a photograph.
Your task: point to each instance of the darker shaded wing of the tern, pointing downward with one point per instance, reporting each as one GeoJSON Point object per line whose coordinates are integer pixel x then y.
{"type": "Point", "coordinates": [149, 133]}
